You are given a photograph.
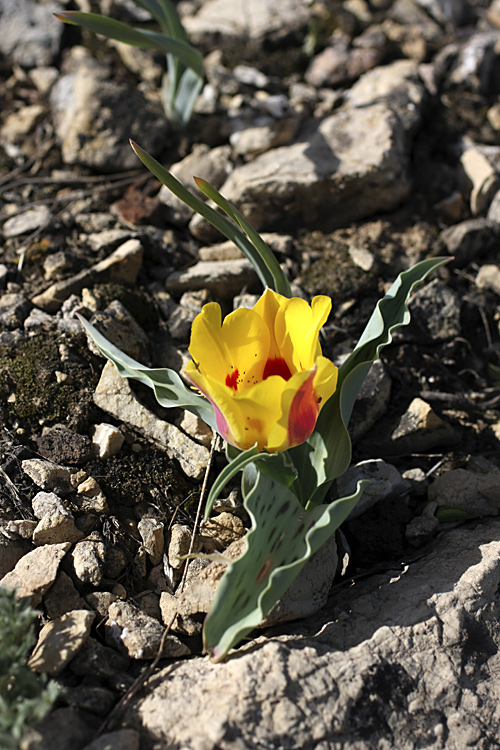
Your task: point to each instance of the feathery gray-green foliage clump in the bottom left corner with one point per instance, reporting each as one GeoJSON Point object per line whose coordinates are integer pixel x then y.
{"type": "Point", "coordinates": [25, 697]}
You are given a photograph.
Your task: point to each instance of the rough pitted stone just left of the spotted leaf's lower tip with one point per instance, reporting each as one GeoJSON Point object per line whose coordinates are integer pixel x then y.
{"type": "Point", "coordinates": [138, 634]}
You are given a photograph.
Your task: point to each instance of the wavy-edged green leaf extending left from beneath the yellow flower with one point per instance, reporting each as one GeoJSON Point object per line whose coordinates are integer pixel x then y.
{"type": "Point", "coordinates": [169, 389]}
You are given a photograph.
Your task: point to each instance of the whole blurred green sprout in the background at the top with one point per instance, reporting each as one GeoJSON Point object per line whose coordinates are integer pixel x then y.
{"type": "Point", "coordinates": [184, 79]}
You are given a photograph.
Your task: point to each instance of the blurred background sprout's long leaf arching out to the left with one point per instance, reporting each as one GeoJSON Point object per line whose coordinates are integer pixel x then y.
{"type": "Point", "coordinates": [144, 38]}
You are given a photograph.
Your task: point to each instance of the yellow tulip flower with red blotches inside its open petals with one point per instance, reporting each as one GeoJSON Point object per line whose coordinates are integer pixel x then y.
{"type": "Point", "coordinates": [262, 370]}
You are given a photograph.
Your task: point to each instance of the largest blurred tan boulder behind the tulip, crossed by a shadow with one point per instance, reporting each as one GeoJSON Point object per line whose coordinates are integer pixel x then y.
{"type": "Point", "coordinates": [341, 168]}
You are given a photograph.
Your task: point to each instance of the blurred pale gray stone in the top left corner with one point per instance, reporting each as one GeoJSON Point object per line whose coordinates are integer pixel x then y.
{"type": "Point", "coordinates": [30, 34]}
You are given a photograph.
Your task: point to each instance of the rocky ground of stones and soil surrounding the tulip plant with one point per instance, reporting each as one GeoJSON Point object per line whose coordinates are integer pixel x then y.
{"type": "Point", "coordinates": [359, 138]}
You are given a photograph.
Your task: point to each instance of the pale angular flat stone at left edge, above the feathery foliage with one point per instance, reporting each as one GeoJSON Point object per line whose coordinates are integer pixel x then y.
{"type": "Point", "coordinates": [36, 571]}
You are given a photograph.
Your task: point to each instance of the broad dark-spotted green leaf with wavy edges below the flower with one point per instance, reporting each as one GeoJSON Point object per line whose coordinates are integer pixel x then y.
{"type": "Point", "coordinates": [282, 538]}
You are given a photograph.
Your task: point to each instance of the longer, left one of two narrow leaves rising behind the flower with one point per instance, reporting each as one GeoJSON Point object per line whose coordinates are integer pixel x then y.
{"type": "Point", "coordinates": [224, 225]}
